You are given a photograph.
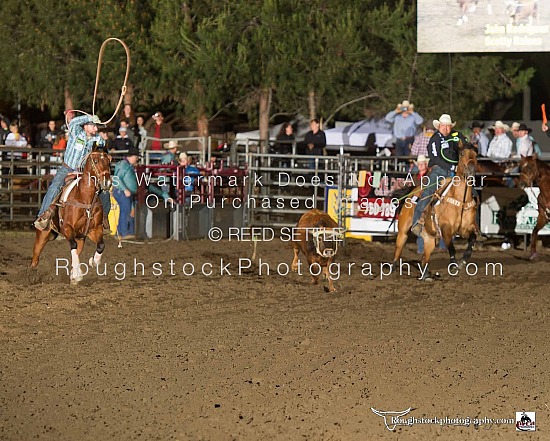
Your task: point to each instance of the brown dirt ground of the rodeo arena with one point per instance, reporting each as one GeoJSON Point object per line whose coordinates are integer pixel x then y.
{"type": "Point", "coordinates": [250, 357]}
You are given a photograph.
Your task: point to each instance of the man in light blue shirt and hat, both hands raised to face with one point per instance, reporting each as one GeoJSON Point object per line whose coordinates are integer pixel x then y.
{"type": "Point", "coordinates": [405, 123]}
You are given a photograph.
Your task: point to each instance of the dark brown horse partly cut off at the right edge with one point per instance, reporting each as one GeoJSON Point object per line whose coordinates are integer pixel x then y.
{"type": "Point", "coordinates": [534, 170]}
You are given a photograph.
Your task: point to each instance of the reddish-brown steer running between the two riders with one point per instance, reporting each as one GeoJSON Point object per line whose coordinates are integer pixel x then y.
{"type": "Point", "coordinates": [317, 236]}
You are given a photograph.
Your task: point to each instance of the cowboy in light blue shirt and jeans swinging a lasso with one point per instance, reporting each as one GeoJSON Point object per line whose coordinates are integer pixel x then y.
{"type": "Point", "coordinates": [83, 134]}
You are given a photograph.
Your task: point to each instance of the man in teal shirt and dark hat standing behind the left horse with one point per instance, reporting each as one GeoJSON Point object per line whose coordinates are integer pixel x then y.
{"type": "Point", "coordinates": [124, 192]}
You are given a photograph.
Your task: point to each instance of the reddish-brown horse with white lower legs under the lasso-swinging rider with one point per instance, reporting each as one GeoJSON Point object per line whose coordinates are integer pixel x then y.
{"type": "Point", "coordinates": [80, 213]}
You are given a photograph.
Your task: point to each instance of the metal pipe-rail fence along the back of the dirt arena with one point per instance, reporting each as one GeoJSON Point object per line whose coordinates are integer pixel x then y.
{"type": "Point", "coordinates": [277, 190]}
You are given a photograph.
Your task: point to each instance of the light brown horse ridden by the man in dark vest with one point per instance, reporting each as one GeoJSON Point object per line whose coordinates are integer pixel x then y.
{"type": "Point", "coordinates": [453, 211]}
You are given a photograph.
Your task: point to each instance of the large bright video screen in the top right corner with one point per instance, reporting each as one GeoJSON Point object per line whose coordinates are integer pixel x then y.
{"type": "Point", "coordinates": [483, 26]}
